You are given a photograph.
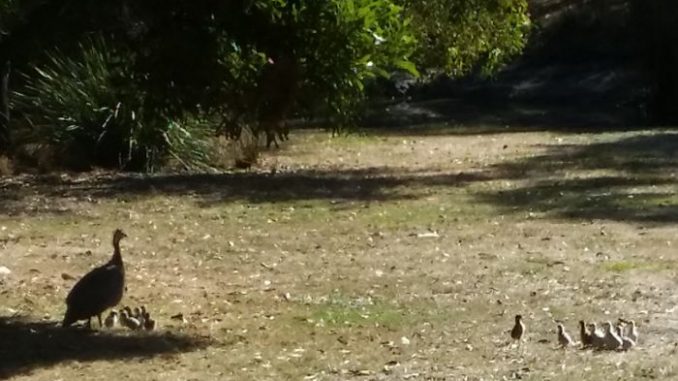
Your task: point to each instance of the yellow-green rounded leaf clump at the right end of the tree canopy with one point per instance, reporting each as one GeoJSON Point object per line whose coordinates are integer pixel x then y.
{"type": "Point", "coordinates": [456, 37]}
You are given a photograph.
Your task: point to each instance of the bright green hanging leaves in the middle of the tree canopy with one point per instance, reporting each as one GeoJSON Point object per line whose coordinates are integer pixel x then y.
{"type": "Point", "coordinates": [350, 43]}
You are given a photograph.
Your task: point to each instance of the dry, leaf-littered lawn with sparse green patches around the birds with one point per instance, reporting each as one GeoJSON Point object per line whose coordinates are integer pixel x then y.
{"type": "Point", "coordinates": [329, 269]}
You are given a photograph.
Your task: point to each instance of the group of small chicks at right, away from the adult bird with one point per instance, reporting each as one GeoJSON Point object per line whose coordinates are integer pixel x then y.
{"type": "Point", "coordinates": [619, 338]}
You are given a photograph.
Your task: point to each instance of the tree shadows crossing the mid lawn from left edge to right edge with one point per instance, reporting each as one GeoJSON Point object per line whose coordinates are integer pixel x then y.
{"type": "Point", "coordinates": [621, 176]}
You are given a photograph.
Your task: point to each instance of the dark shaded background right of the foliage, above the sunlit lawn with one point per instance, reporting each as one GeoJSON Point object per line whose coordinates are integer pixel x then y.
{"type": "Point", "coordinates": [579, 72]}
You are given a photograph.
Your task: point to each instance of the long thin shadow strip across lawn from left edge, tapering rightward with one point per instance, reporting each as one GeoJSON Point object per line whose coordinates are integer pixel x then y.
{"type": "Point", "coordinates": [51, 194]}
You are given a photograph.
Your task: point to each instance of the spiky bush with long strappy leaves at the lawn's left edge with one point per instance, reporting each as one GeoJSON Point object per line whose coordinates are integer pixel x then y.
{"type": "Point", "coordinates": [89, 109]}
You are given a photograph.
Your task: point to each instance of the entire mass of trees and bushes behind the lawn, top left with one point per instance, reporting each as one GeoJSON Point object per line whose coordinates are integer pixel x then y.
{"type": "Point", "coordinates": [129, 84]}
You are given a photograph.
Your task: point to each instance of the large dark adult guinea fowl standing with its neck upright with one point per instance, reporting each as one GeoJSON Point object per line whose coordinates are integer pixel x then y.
{"type": "Point", "coordinates": [98, 290]}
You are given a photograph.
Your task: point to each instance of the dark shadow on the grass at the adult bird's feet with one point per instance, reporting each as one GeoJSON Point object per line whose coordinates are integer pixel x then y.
{"type": "Point", "coordinates": [25, 345]}
